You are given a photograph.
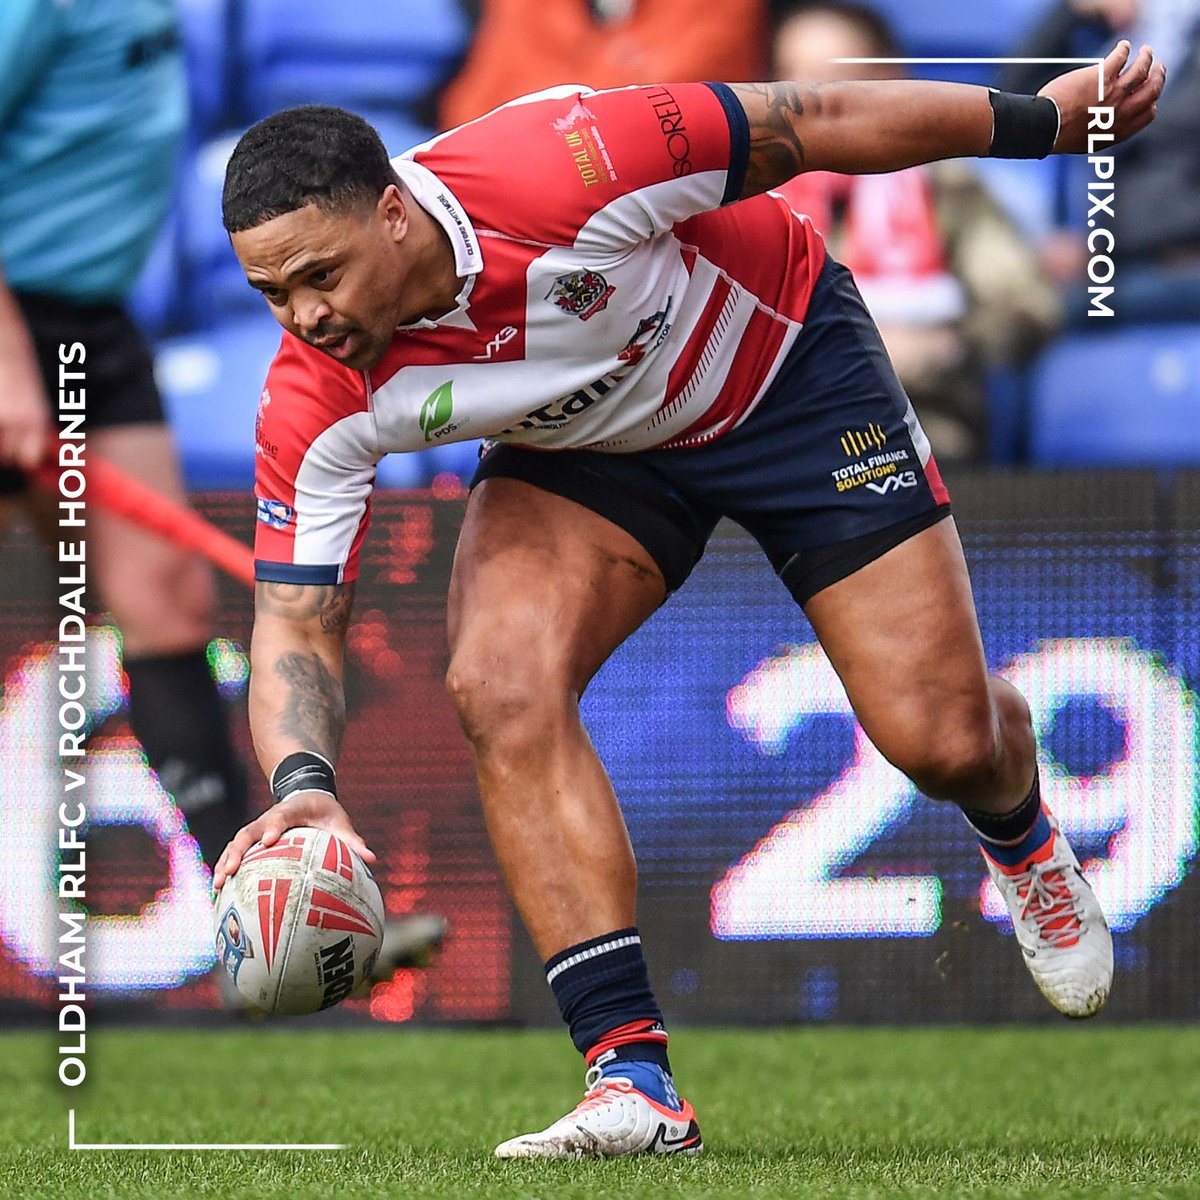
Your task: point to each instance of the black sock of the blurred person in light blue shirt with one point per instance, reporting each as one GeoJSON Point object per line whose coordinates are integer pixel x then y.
{"type": "Point", "coordinates": [178, 716]}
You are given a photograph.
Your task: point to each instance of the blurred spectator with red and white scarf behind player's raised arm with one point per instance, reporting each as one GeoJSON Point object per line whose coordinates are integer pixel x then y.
{"type": "Point", "coordinates": [951, 281]}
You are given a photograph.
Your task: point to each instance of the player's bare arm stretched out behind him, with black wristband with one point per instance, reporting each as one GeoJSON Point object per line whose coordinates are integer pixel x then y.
{"type": "Point", "coordinates": [872, 127]}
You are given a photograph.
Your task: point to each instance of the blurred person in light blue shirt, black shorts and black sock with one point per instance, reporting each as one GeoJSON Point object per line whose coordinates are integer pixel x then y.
{"type": "Point", "coordinates": [93, 106]}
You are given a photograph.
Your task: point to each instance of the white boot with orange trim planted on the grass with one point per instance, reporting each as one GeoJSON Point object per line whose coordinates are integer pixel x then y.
{"type": "Point", "coordinates": [613, 1120]}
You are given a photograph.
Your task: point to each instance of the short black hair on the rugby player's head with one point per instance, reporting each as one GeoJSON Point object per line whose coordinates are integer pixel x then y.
{"type": "Point", "coordinates": [310, 155]}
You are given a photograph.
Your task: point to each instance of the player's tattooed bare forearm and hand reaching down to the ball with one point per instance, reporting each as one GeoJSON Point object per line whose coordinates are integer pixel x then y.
{"type": "Point", "coordinates": [297, 709]}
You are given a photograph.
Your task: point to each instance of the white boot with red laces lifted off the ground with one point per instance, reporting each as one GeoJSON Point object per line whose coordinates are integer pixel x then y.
{"type": "Point", "coordinates": [1059, 926]}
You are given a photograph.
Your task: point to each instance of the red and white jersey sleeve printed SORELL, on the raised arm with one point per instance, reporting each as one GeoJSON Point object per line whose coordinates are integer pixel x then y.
{"type": "Point", "coordinates": [597, 170]}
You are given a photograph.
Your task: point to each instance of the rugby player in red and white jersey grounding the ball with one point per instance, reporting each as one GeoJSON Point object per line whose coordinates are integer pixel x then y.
{"type": "Point", "coordinates": [604, 289]}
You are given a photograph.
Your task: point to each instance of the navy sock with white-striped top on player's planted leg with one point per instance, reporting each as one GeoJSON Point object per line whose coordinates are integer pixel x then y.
{"type": "Point", "coordinates": [603, 988]}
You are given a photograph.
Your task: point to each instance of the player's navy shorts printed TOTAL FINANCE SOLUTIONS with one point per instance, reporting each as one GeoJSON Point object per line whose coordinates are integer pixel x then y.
{"type": "Point", "coordinates": [831, 470]}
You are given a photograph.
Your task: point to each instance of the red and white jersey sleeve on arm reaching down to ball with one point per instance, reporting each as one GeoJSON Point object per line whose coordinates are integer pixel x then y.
{"type": "Point", "coordinates": [315, 465]}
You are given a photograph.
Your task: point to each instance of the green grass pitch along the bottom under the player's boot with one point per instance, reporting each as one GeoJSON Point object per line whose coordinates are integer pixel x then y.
{"type": "Point", "coordinates": [1054, 1112]}
